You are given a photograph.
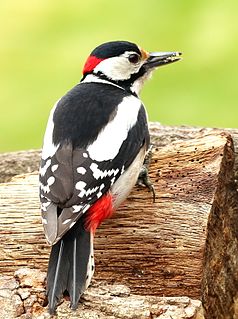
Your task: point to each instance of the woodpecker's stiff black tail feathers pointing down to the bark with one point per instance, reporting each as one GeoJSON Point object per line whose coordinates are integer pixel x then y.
{"type": "Point", "coordinates": [68, 266]}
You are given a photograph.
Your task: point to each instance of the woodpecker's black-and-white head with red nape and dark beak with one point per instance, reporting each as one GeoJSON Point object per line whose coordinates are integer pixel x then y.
{"type": "Point", "coordinates": [125, 63]}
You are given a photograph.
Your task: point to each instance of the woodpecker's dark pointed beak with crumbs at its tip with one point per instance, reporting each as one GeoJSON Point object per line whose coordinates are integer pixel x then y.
{"type": "Point", "coordinates": [156, 59]}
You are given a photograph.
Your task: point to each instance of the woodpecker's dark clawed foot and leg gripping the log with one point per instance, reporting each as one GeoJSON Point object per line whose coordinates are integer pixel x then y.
{"type": "Point", "coordinates": [144, 179]}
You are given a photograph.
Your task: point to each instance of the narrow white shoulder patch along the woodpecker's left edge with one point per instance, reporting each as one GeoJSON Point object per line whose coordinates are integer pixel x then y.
{"type": "Point", "coordinates": [49, 148]}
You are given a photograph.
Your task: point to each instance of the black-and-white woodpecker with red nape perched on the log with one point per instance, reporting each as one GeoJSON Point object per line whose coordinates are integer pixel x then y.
{"type": "Point", "coordinates": [94, 147]}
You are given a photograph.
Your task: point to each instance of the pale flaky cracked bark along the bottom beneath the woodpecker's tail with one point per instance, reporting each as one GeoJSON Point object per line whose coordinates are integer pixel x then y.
{"type": "Point", "coordinates": [23, 297]}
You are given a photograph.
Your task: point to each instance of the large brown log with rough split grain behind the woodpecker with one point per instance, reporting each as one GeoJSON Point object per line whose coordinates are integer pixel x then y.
{"type": "Point", "coordinates": [184, 244]}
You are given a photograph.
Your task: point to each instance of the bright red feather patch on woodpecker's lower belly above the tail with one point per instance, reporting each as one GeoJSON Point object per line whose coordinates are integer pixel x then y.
{"type": "Point", "coordinates": [99, 211]}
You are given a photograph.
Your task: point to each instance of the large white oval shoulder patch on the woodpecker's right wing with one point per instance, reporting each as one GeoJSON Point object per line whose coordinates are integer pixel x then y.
{"type": "Point", "coordinates": [110, 139]}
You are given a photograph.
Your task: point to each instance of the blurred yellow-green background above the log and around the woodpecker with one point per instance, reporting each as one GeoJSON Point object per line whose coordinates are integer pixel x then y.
{"type": "Point", "coordinates": [44, 44]}
